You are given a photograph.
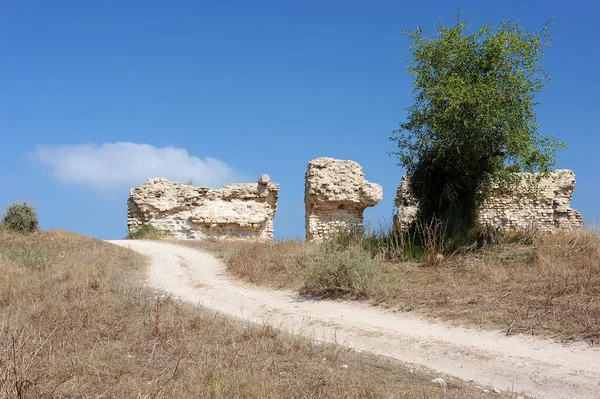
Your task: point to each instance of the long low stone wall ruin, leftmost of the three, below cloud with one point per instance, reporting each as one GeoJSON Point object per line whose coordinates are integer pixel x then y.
{"type": "Point", "coordinates": [189, 212]}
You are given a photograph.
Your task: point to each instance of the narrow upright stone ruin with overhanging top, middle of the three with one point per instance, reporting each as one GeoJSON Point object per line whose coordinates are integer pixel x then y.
{"type": "Point", "coordinates": [335, 195]}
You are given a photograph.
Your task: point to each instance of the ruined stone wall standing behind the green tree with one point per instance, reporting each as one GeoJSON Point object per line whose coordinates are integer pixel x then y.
{"type": "Point", "coordinates": [546, 208]}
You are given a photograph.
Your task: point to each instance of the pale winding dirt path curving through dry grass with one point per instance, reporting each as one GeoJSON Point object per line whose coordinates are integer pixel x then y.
{"type": "Point", "coordinates": [540, 368]}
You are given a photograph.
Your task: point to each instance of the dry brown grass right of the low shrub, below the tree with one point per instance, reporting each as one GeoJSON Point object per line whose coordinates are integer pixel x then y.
{"type": "Point", "coordinates": [550, 288]}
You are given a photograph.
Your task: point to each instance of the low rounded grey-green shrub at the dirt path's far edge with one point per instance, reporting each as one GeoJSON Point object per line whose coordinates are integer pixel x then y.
{"type": "Point", "coordinates": [338, 271]}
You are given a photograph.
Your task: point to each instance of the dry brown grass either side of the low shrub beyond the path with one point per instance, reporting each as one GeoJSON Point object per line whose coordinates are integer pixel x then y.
{"type": "Point", "coordinates": [546, 285]}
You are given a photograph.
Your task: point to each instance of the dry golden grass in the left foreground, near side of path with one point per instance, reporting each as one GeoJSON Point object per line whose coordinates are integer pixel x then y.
{"type": "Point", "coordinates": [76, 323]}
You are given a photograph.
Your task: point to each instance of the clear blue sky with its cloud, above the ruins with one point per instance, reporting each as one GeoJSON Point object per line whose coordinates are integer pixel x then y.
{"type": "Point", "coordinates": [225, 91]}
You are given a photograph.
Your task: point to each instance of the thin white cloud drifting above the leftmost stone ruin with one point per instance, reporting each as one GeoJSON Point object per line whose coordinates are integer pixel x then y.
{"type": "Point", "coordinates": [110, 166]}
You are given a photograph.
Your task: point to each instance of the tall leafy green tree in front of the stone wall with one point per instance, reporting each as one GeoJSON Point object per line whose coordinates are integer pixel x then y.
{"type": "Point", "coordinates": [473, 119]}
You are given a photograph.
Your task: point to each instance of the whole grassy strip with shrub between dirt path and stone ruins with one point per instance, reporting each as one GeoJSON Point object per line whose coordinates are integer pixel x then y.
{"type": "Point", "coordinates": [538, 284]}
